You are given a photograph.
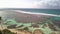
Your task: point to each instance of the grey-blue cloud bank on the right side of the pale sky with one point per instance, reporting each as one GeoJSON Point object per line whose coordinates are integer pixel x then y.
{"type": "Point", "coordinates": [52, 4]}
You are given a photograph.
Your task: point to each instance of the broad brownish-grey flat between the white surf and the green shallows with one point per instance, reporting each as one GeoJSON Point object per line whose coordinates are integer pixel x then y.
{"type": "Point", "coordinates": [21, 16]}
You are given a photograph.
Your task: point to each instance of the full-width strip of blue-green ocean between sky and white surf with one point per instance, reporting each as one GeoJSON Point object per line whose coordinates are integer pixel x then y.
{"type": "Point", "coordinates": [48, 11]}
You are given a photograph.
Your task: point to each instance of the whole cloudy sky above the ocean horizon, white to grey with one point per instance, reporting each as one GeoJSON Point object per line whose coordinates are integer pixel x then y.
{"type": "Point", "coordinates": [55, 4]}
